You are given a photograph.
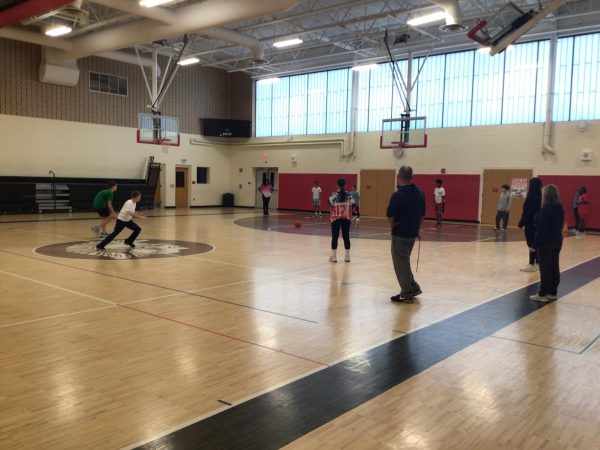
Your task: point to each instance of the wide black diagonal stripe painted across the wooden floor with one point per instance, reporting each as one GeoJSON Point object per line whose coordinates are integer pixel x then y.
{"type": "Point", "coordinates": [283, 415]}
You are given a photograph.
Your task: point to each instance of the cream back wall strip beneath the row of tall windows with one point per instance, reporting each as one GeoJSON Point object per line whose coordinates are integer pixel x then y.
{"type": "Point", "coordinates": [458, 150]}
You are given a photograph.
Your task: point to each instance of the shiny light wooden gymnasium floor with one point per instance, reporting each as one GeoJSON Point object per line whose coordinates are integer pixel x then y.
{"type": "Point", "coordinates": [106, 354]}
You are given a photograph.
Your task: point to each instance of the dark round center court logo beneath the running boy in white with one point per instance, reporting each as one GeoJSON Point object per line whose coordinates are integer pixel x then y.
{"type": "Point", "coordinates": [118, 250]}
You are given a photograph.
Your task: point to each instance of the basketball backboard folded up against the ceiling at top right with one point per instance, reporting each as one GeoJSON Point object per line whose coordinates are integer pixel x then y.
{"type": "Point", "coordinates": [509, 24]}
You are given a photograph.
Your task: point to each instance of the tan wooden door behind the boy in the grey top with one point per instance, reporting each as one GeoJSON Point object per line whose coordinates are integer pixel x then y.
{"type": "Point", "coordinates": [492, 180]}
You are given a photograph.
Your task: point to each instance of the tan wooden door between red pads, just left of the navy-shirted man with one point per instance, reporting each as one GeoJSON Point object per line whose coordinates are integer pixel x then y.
{"type": "Point", "coordinates": [376, 187]}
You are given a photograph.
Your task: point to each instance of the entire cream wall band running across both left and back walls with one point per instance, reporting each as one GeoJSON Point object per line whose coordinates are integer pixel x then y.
{"type": "Point", "coordinates": [32, 147]}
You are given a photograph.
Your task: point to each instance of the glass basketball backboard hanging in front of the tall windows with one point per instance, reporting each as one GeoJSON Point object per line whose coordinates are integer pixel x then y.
{"type": "Point", "coordinates": [404, 132]}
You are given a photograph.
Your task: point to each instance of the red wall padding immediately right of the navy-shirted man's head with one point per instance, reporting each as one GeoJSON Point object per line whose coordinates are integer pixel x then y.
{"type": "Point", "coordinates": [462, 195]}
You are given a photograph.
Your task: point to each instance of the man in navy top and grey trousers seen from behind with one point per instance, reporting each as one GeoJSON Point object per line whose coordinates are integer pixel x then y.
{"type": "Point", "coordinates": [405, 214]}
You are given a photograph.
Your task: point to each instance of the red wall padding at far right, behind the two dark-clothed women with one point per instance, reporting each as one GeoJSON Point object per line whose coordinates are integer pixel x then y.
{"type": "Point", "coordinates": [567, 184]}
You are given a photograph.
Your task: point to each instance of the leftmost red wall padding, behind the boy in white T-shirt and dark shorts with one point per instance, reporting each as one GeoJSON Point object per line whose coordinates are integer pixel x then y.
{"type": "Point", "coordinates": [295, 188]}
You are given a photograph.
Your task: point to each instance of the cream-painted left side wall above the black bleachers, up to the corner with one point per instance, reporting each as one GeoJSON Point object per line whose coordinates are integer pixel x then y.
{"type": "Point", "coordinates": [32, 147]}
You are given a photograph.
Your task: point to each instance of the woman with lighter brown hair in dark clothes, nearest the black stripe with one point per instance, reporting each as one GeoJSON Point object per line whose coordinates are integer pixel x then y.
{"type": "Point", "coordinates": [547, 243]}
